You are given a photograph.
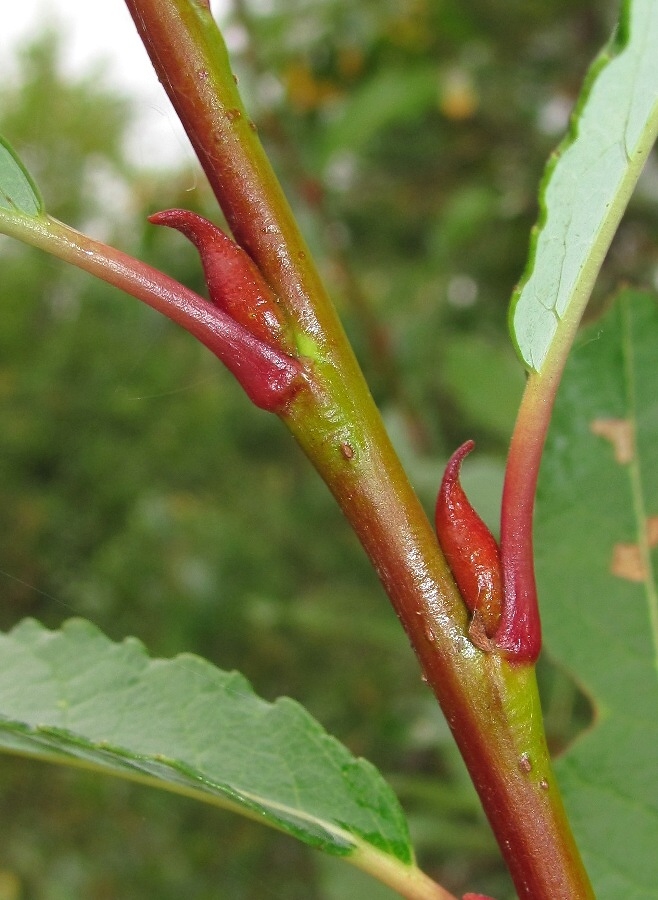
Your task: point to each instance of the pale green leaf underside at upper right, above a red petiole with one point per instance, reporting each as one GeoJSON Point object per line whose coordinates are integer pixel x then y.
{"type": "Point", "coordinates": [587, 185]}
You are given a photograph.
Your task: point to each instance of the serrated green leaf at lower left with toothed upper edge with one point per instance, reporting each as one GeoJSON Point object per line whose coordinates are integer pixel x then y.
{"type": "Point", "coordinates": [75, 697]}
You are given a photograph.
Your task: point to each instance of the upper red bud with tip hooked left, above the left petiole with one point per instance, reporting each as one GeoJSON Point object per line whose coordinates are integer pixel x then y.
{"type": "Point", "coordinates": [234, 282]}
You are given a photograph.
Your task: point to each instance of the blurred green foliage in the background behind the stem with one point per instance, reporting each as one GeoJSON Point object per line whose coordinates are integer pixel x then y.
{"type": "Point", "coordinates": [139, 488]}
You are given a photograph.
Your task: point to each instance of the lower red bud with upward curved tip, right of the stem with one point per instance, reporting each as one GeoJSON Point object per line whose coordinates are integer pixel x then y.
{"type": "Point", "coordinates": [471, 552]}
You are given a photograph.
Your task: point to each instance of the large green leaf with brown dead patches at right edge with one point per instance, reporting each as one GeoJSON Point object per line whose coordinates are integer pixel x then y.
{"type": "Point", "coordinates": [596, 534]}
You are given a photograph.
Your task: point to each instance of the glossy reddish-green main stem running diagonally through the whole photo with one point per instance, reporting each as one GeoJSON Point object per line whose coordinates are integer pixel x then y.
{"type": "Point", "coordinates": [490, 705]}
